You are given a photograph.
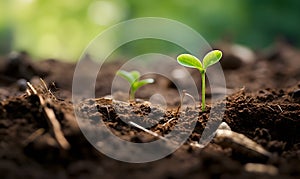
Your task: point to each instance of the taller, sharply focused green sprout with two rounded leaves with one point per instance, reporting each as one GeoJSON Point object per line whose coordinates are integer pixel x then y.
{"type": "Point", "coordinates": [191, 61]}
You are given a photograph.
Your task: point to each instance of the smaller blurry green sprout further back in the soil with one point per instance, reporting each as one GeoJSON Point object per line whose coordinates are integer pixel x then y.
{"type": "Point", "coordinates": [133, 78]}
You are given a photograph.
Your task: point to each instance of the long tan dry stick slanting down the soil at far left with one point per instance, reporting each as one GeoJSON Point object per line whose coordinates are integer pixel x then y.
{"type": "Point", "coordinates": [52, 121]}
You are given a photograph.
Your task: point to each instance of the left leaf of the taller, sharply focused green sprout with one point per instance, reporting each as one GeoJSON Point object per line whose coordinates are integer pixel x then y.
{"type": "Point", "coordinates": [189, 61]}
